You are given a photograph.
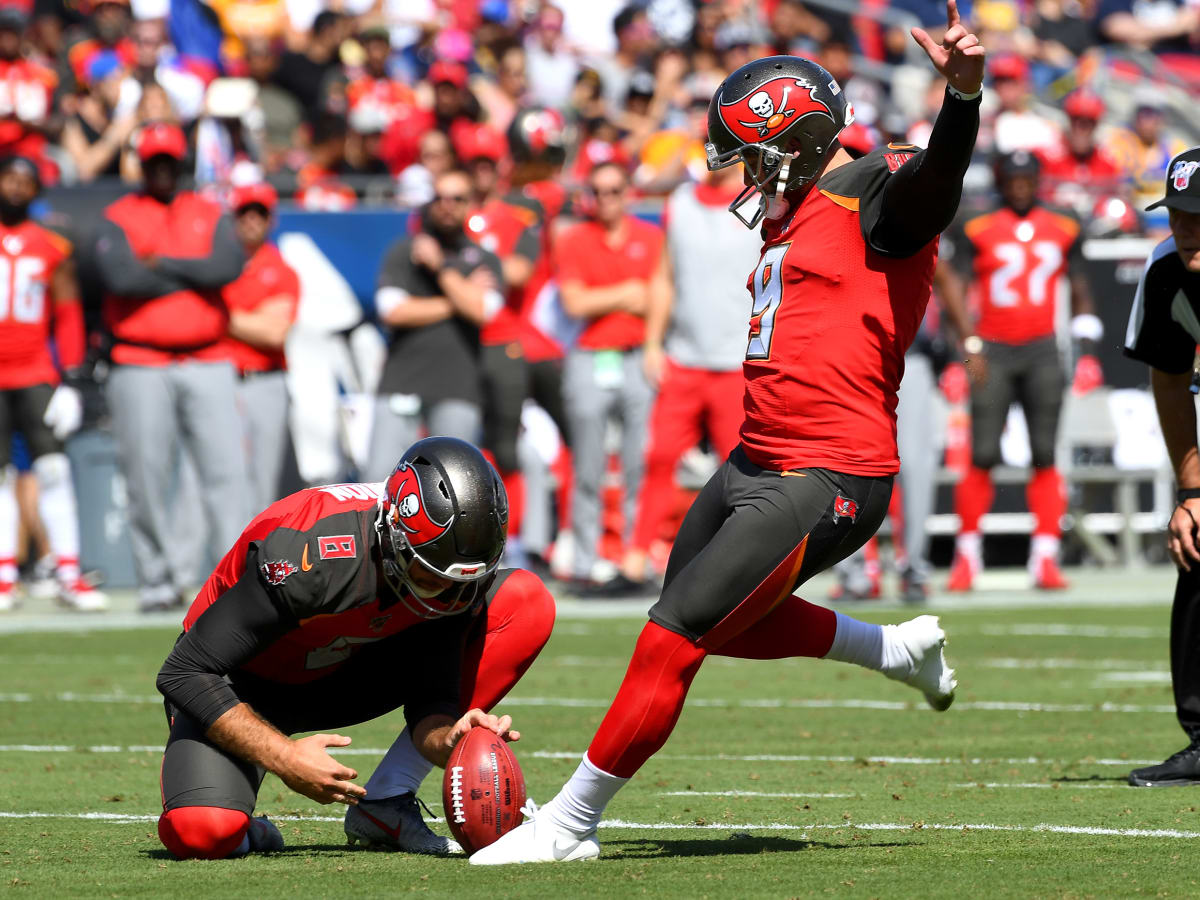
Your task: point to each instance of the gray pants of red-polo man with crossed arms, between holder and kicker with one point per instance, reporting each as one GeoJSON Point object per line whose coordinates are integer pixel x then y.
{"type": "Point", "coordinates": [592, 397]}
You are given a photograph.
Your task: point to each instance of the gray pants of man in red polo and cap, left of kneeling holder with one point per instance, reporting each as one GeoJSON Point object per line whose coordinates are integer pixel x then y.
{"type": "Point", "coordinates": [263, 409]}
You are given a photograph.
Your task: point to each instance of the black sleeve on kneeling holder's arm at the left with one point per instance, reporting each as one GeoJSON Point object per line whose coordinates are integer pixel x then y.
{"type": "Point", "coordinates": [235, 629]}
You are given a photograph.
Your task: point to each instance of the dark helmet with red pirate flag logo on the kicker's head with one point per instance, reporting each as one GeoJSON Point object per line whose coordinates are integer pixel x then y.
{"type": "Point", "coordinates": [781, 117]}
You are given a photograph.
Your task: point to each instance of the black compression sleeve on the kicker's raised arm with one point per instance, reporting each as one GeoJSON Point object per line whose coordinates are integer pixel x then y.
{"type": "Point", "coordinates": [920, 201]}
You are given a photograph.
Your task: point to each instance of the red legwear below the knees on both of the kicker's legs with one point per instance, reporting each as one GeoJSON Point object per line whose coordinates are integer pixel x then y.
{"type": "Point", "coordinates": [664, 665]}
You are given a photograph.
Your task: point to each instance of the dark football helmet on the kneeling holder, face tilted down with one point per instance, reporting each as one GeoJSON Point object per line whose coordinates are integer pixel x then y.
{"type": "Point", "coordinates": [445, 509]}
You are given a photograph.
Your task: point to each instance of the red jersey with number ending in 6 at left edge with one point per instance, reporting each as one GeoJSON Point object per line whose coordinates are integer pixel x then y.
{"type": "Point", "coordinates": [29, 255]}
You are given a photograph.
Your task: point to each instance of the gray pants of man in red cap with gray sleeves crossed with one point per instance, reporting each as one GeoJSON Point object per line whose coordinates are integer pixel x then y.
{"type": "Point", "coordinates": [154, 411]}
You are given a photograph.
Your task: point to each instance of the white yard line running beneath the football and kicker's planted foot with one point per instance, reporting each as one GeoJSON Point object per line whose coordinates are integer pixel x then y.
{"type": "Point", "coordinates": [963, 827]}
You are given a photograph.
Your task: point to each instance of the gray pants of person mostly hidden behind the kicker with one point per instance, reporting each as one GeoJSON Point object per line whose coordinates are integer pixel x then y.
{"type": "Point", "coordinates": [916, 412]}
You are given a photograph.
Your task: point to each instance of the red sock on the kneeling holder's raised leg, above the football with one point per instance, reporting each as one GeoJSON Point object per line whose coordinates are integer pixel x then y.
{"type": "Point", "coordinates": [520, 620]}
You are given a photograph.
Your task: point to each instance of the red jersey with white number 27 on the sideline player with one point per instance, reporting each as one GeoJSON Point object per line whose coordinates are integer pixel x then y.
{"type": "Point", "coordinates": [1017, 266]}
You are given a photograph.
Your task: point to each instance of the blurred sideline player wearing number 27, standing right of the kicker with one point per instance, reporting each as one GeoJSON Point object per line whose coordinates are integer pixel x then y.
{"type": "Point", "coordinates": [1018, 255]}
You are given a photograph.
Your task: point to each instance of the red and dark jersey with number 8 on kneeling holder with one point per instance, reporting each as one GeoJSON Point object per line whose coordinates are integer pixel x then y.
{"type": "Point", "coordinates": [316, 550]}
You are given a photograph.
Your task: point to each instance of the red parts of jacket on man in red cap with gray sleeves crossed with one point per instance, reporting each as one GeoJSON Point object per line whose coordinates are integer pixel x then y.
{"type": "Point", "coordinates": [184, 322]}
